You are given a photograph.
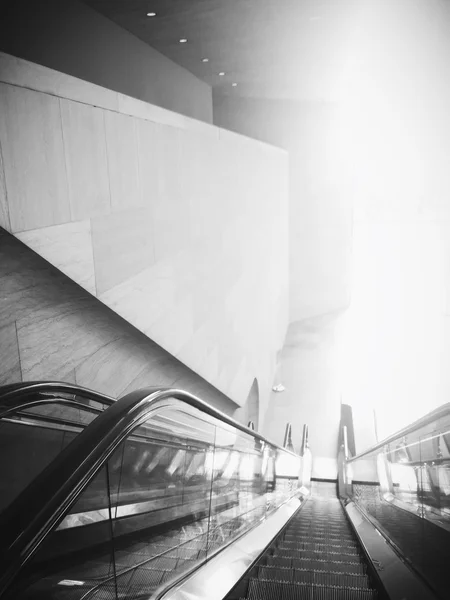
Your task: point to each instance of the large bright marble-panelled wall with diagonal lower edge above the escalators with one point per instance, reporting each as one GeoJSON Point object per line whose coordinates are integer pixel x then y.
{"type": "Point", "coordinates": [179, 227]}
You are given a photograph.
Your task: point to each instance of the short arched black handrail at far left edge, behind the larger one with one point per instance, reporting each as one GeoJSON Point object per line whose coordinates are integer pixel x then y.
{"type": "Point", "coordinates": [14, 394]}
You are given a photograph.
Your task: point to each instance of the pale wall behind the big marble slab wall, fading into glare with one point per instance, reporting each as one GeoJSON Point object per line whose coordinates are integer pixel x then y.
{"type": "Point", "coordinates": [320, 209]}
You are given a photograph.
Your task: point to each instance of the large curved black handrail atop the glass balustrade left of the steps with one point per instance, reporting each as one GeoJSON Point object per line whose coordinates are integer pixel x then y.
{"type": "Point", "coordinates": [51, 494]}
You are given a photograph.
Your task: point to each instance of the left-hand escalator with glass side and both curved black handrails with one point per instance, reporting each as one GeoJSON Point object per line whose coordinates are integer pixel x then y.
{"type": "Point", "coordinates": [107, 500]}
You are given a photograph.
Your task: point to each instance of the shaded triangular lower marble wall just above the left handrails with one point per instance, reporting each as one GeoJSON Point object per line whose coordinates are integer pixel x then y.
{"type": "Point", "coordinates": [51, 328]}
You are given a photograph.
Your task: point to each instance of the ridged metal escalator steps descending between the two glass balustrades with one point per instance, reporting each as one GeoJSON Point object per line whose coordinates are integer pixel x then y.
{"type": "Point", "coordinates": [317, 556]}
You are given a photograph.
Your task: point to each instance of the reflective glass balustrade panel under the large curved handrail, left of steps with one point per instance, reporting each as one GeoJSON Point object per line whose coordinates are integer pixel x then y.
{"type": "Point", "coordinates": [177, 489]}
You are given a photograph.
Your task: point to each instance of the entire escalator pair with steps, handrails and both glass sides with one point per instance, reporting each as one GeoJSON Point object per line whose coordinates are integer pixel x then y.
{"type": "Point", "coordinates": [154, 495]}
